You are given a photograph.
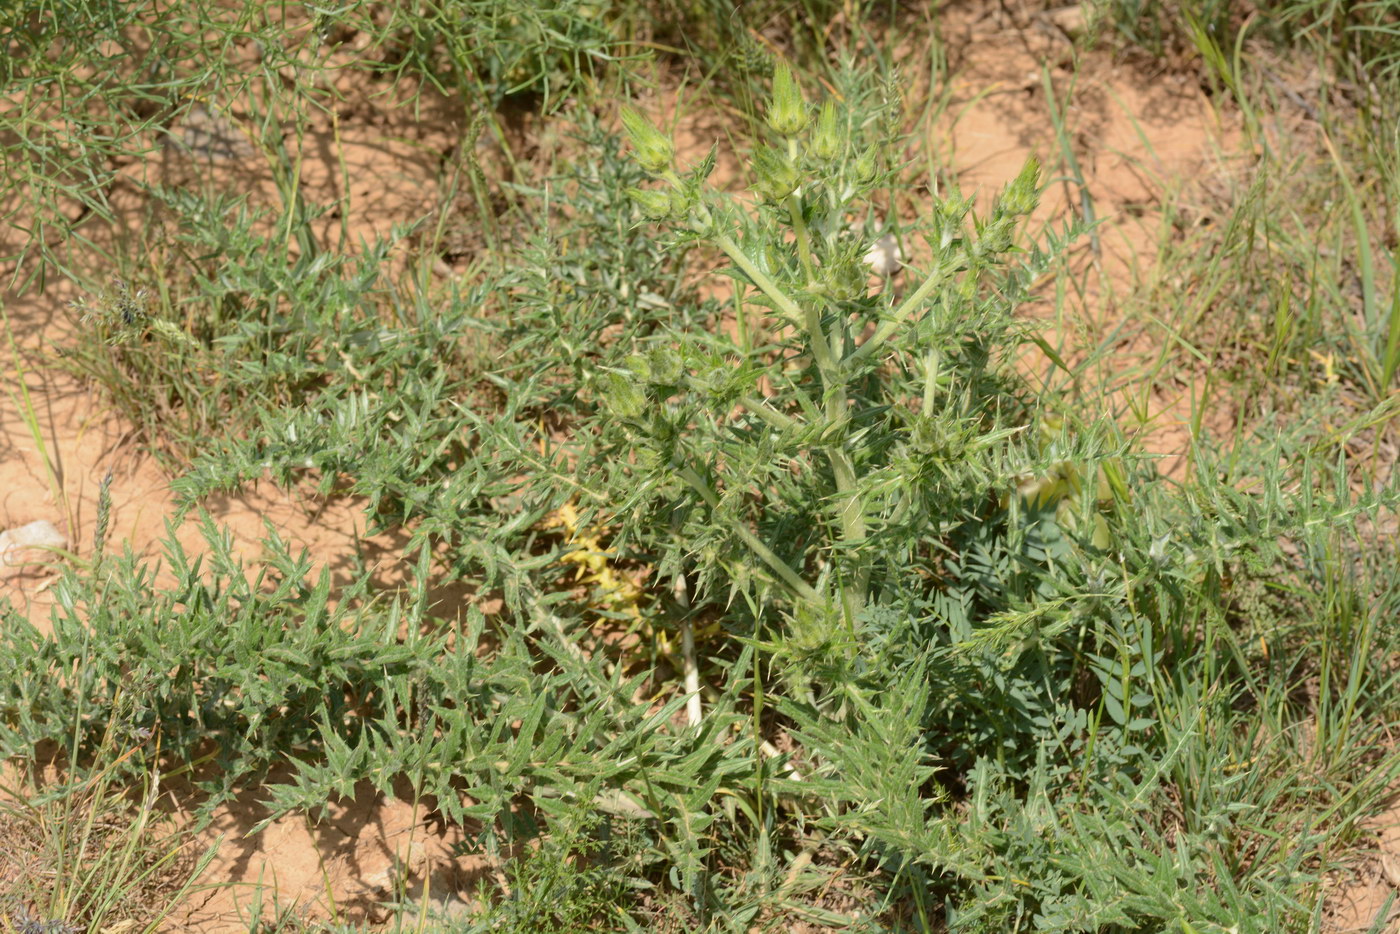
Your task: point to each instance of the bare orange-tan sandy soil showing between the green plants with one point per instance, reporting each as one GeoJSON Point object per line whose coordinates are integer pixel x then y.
{"type": "Point", "coordinates": [1137, 132]}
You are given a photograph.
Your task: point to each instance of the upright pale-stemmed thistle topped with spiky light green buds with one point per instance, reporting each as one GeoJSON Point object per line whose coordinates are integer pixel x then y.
{"type": "Point", "coordinates": [829, 463]}
